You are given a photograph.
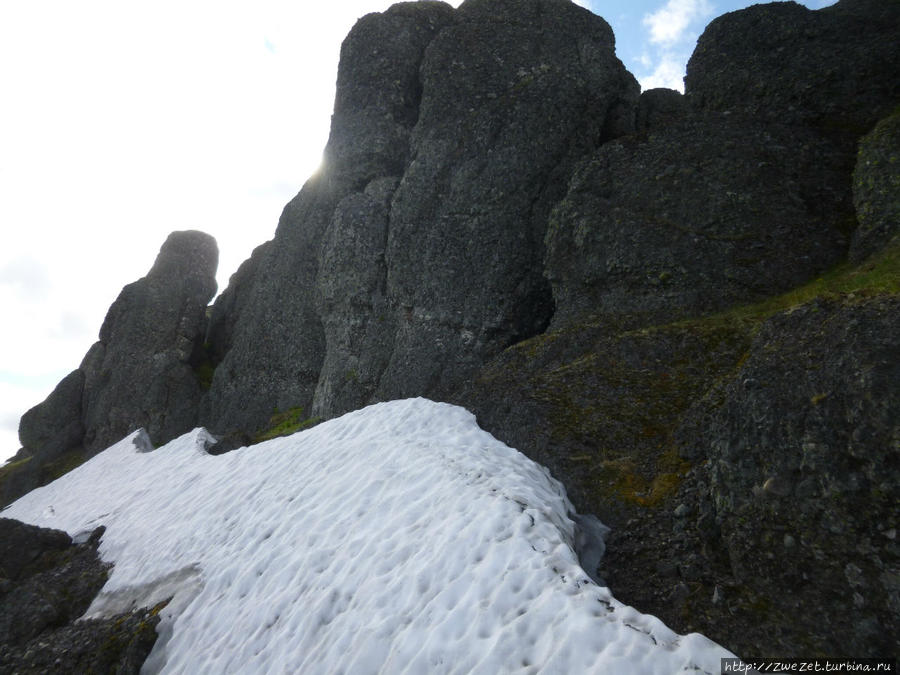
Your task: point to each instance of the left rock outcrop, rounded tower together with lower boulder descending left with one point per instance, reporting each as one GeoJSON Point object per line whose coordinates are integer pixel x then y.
{"type": "Point", "coordinates": [141, 372]}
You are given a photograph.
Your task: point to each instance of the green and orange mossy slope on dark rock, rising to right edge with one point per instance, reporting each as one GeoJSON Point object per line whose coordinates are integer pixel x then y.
{"type": "Point", "coordinates": [612, 398]}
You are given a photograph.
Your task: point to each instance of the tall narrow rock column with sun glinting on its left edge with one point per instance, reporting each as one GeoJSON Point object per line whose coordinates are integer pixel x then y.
{"type": "Point", "coordinates": [279, 342]}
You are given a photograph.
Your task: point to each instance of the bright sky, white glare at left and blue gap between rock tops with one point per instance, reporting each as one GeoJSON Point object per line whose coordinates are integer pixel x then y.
{"type": "Point", "coordinates": [123, 121]}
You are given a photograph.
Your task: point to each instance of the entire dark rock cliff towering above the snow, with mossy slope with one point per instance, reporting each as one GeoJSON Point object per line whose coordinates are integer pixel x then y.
{"type": "Point", "coordinates": [685, 306]}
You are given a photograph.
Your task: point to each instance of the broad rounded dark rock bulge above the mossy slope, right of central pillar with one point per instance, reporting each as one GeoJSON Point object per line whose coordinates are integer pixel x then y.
{"type": "Point", "coordinates": [704, 214]}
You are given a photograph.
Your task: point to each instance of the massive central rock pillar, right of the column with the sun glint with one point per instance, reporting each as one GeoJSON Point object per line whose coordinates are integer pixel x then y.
{"type": "Point", "coordinates": [512, 93]}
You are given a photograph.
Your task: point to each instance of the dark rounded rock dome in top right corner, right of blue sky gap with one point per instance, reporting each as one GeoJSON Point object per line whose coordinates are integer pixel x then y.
{"type": "Point", "coordinates": [837, 68]}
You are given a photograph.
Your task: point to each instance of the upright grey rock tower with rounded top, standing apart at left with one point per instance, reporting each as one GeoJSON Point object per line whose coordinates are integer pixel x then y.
{"type": "Point", "coordinates": [140, 373]}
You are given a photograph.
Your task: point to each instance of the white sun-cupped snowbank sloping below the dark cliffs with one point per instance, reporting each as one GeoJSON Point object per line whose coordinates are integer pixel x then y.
{"type": "Point", "coordinates": [400, 538]}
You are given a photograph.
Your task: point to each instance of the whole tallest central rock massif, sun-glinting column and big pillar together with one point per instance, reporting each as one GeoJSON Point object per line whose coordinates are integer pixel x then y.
{"type": "Point", "coordinates": [453, 134]}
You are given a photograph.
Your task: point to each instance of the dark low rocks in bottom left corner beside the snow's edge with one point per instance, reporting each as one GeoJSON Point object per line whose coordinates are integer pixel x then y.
{"type": "Point", "coordinates": [46, 583]}
